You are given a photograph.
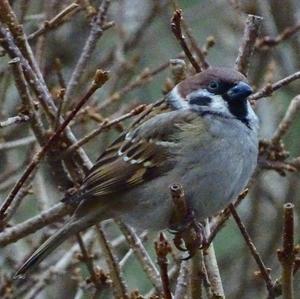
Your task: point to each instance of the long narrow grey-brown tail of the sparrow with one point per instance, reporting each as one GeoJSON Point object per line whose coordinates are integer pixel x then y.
{"type": "Point", "coordinates": [70, 228]}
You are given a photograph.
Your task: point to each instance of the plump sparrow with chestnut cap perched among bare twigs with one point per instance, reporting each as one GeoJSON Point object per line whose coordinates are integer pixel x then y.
{"type": "Point", "coordinates": [202, 135]}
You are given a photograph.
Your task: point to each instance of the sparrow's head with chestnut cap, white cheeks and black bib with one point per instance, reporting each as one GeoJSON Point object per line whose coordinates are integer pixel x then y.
{"type": "Point", "coordinates": [217, 90]}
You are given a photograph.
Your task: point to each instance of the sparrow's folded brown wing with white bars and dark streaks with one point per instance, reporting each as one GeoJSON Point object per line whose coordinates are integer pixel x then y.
{"type": "Point", "coordinates": [142, 154]}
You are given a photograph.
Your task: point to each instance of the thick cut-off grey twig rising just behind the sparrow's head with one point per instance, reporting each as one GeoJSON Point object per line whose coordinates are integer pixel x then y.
{"type": "Point", "coordinates": [248, 43]}
